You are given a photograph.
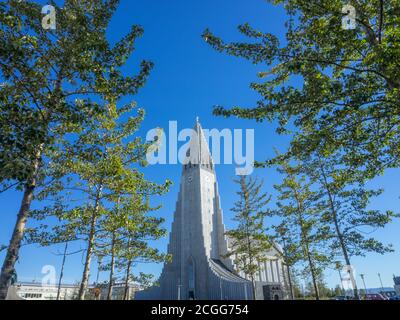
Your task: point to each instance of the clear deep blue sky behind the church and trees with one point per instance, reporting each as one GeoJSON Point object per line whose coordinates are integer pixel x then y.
{"type": "Point", "coordinates": [188, 79]}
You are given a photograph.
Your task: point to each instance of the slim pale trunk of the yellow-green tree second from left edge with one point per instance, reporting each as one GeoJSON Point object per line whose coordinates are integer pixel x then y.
{"type": "Point", "coordinates": [86, 269]}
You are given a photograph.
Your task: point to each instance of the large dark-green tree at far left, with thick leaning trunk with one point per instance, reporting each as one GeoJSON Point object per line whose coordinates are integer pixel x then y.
{"type": "Point", "coordinates": [54, 81]}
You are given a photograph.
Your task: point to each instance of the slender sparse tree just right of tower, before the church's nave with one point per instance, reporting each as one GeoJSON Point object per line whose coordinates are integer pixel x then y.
{"type": "Point", "coordinates": [249, 240]}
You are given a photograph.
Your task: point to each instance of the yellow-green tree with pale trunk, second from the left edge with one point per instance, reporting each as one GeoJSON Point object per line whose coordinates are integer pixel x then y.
{"type": "Point", "coordinates": [102, 165]}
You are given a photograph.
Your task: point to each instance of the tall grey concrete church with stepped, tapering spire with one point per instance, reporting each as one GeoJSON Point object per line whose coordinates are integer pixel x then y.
{"type": "Point", "coordinates": [200, 269]}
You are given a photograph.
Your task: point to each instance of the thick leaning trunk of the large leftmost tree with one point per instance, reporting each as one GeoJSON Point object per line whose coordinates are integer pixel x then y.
{"type": "Point", "coordinates": [8, 267]}
